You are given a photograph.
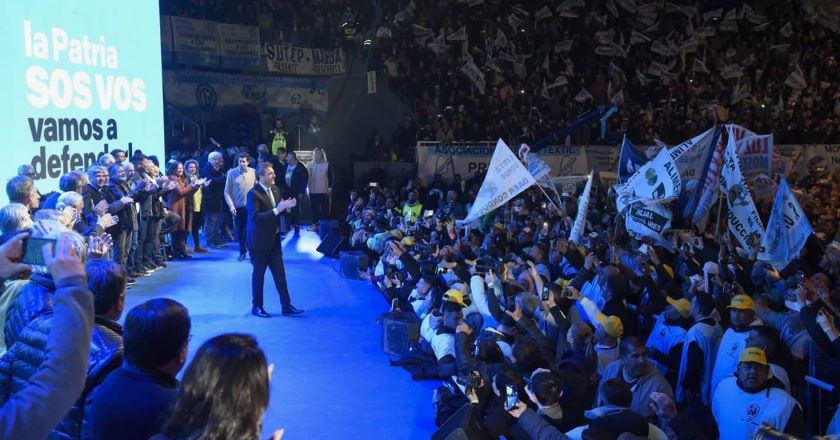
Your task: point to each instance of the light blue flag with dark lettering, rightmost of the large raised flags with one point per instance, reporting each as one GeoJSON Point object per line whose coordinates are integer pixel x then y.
{"type": "Point", "coordinates": [787, 230]}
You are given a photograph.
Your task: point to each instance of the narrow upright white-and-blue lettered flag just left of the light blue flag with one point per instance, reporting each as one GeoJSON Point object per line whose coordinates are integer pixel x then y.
{"type": "Point", "coordinates": [743, 219]}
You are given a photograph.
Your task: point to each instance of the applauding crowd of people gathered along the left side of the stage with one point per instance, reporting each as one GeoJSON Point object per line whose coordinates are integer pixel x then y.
{"type": "Point", "coordinates": [119, 220]}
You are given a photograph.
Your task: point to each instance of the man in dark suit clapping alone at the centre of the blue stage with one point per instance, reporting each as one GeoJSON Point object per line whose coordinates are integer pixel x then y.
{"type": "Point", "coordinates": [264, 206]}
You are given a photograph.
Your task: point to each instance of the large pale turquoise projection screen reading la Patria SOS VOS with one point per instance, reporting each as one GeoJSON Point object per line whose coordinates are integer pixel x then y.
{"type": "Point", "coordinates": [79, 78]}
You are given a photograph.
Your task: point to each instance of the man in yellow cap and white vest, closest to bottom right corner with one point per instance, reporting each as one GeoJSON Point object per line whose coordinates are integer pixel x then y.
{"type": "Point", "coordinates": [745, 402]}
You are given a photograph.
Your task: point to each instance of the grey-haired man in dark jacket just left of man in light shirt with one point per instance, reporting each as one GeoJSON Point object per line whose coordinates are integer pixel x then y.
{"type": "Point", "coordinates": [213, 198]}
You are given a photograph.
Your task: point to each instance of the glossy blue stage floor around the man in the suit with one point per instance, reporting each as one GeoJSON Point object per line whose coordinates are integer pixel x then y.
{"type": "Point", "coordinates": [331, 378]}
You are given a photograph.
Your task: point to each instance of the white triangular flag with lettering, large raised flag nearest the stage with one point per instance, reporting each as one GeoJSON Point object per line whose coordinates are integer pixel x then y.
{"type": "Point", "coordinates": [506, 178]}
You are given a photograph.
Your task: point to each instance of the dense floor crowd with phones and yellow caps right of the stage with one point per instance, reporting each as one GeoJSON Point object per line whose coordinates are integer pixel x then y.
{"type": "Point", "coordinates": [547, 338]}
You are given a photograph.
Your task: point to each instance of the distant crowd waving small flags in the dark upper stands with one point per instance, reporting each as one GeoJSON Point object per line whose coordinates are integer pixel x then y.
{"type": "Point", "coordinates": [757, 64]}
